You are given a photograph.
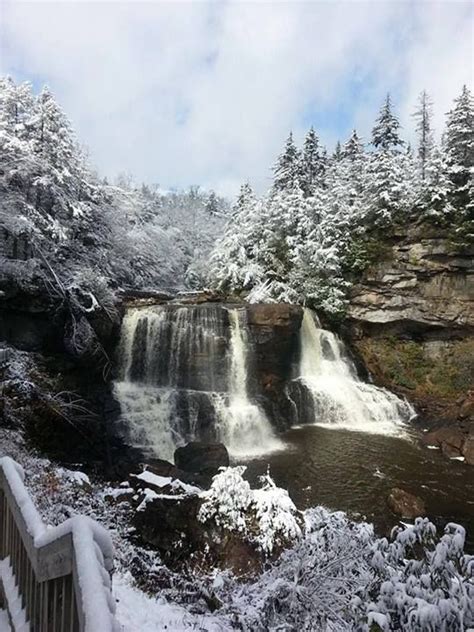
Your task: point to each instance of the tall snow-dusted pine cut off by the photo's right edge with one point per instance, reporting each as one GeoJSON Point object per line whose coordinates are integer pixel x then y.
{"type": "Point", "coordinates": [459, 142]}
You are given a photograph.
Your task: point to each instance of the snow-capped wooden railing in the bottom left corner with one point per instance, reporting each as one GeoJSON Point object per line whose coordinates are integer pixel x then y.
{"type": "Point", "coordinates": [63, 573]}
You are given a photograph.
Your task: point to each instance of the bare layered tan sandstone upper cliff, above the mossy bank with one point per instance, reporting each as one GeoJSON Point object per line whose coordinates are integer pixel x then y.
{"type": "Point", "coordinates": [423, 283]}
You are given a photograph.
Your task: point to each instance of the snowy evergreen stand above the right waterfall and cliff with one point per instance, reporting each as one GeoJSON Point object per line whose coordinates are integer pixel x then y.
{"type": "Point", "coordinates": [298, 242]}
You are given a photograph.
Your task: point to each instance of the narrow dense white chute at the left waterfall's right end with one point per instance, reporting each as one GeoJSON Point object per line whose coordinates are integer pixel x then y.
{"type": "Point", "coordinates": [243, 426]}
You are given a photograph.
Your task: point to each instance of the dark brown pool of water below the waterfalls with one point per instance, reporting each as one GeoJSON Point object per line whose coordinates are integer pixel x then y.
{"type": "Point", "coordinates": [355, 471]}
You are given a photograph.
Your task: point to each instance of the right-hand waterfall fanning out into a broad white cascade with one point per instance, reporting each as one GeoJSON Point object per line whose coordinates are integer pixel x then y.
{"type": "Point", "coordinates": [337, 397]}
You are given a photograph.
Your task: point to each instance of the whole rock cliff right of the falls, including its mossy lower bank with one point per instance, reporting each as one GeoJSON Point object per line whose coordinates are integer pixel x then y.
{"type": "Point", "coordinates": [411, 318]}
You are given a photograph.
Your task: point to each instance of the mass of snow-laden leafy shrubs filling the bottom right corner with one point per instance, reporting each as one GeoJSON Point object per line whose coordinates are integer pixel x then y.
{"type": "Point", "coordinates": [341, 577]}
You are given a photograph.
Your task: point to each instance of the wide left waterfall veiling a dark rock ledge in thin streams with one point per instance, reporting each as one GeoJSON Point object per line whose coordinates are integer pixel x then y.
{"type": "Point", "coordinates": [183, 376]}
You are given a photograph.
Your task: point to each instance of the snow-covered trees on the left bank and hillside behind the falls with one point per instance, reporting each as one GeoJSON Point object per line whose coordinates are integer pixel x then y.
{"type": "Point", "coordinates": [128, 236]}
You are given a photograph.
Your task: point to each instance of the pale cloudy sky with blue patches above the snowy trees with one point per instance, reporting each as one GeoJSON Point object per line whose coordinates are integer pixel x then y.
{"type": "Point", "coordinates": [206, 92]}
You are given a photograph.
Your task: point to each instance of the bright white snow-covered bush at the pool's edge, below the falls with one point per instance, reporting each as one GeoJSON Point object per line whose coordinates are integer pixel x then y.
{"type": "Point", "coordinates": [266, 516]}
